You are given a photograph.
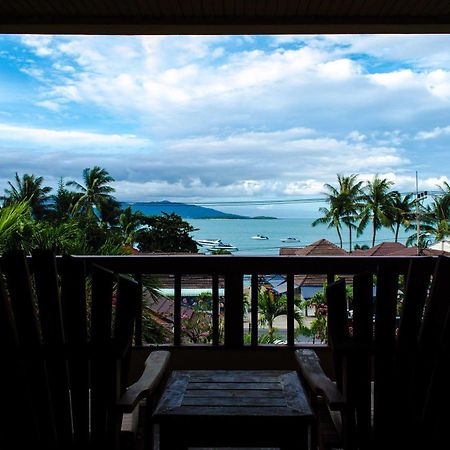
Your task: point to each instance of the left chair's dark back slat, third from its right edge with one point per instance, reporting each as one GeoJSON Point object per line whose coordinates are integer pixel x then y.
{"type": "Point", "coordinates": [73, 299]}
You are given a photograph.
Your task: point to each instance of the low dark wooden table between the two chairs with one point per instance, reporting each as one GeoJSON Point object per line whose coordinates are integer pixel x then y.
{"type": "Point", "coordinates": [218, 408]}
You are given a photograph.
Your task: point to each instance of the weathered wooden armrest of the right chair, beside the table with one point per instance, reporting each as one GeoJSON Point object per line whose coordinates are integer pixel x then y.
{"type": "Point", "coordinates": [317, 380]}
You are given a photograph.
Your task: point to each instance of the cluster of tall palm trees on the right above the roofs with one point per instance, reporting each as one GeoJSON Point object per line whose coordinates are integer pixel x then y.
{"type": "Point", "coordinates": [355, 205]}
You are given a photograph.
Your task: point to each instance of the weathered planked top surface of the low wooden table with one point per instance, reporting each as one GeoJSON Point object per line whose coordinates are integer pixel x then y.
{"type": "Point", "coordinates": [262, 393]}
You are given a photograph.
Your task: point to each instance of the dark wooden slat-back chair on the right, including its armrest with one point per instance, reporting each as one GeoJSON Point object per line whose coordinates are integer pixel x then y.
{"type": "Point", "coordinates": [391, 386]}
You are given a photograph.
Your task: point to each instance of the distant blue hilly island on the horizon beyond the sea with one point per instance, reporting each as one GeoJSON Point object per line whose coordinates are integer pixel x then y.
{"type": "Point", "coordinates": [184, 210]}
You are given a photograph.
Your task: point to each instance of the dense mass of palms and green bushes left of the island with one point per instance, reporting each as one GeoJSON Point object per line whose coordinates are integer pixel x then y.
{"type": "Point", "coordinates": [84, 218]}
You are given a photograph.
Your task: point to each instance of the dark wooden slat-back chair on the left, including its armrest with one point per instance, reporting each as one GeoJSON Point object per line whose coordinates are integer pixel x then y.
{"type": "Point", "coordinates": [65, 346]}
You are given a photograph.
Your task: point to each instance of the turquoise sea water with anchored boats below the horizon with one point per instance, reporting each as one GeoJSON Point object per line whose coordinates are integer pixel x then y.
{"type": "Point", "coordinates": [239, 233]}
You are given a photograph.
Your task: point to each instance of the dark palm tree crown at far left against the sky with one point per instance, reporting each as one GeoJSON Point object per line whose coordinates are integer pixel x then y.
{"type": "Point", "coordinates": [29, 188]}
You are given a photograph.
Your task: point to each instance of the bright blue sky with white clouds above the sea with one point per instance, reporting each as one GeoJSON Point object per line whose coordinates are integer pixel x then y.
{"type": "Point", "coordinates": [206, 119]}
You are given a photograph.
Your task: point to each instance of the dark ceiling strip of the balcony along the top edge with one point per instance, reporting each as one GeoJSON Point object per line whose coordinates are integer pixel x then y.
{"type": "Point", "coordinates": [224, 16]}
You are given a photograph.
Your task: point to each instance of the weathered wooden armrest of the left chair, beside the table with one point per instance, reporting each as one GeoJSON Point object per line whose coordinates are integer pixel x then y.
{"type": "Point", "coordinates": [155, 367]}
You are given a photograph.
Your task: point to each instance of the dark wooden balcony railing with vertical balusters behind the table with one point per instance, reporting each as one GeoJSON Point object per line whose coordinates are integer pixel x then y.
{"type": "Point", "coordinates": [232, 270]}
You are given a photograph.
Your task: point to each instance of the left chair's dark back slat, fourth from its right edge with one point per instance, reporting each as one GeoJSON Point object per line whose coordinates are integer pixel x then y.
{"type": "Point", "coordinates": [51, 321]}
